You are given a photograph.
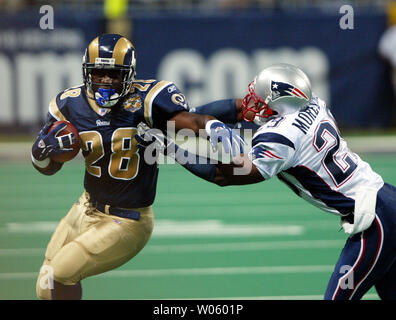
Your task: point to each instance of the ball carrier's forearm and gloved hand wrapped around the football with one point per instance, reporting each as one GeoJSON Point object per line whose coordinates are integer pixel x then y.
{"type": "Point", "coordinates": [50, 143]}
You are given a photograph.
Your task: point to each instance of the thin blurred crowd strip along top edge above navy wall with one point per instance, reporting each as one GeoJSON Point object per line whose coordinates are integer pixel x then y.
{"type": "Point", "coordinates": [12, 5]}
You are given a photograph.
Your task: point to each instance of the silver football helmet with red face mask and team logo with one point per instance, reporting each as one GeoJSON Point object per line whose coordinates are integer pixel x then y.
{"type": "Point", "coordinates": [277, 90]}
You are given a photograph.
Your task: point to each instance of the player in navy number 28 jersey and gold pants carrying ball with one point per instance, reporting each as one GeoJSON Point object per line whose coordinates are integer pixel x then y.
{"type": "Point", "coordinates": [113, 219]}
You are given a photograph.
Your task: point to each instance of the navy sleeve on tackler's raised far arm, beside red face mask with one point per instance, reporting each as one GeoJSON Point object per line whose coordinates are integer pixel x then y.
{"type": "Point", "coordinates": [223, 110]}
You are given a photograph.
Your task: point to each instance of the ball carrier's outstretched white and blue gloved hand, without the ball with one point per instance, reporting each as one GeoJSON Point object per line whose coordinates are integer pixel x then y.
{"type": "Point", "coordinates": [220, 132]}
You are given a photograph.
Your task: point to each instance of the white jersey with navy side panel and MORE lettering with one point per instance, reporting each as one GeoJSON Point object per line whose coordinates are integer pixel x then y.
{"type": "Point", "coordinates": [306, 151]}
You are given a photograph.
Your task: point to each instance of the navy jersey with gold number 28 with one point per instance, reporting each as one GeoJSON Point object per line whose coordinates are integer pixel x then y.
{"type": "Point", "coordinates": [116, 173]}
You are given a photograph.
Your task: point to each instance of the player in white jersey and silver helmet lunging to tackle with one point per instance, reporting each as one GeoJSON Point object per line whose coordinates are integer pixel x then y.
{"type": "Point", "coordinates": [299, 142]}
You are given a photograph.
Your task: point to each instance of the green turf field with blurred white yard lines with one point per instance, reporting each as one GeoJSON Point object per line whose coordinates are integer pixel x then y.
{"type": "Point", "coordinates": [255, 242]}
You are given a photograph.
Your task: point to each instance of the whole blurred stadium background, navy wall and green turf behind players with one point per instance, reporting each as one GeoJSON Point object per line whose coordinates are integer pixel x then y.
{"type": "Point", "coordinates": [252, 242]}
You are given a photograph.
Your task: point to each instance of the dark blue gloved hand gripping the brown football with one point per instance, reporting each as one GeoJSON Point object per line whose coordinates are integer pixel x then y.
{"type": "Point", "coordinates": [49, 143]}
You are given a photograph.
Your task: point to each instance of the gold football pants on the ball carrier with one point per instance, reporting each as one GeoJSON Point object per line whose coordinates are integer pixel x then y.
{"type": "Point", "coordinates": [87, 242]}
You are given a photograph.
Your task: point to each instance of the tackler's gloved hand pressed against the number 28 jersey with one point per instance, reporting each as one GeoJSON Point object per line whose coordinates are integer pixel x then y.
{"type": "Point", "coordinates": [146, 136]}
